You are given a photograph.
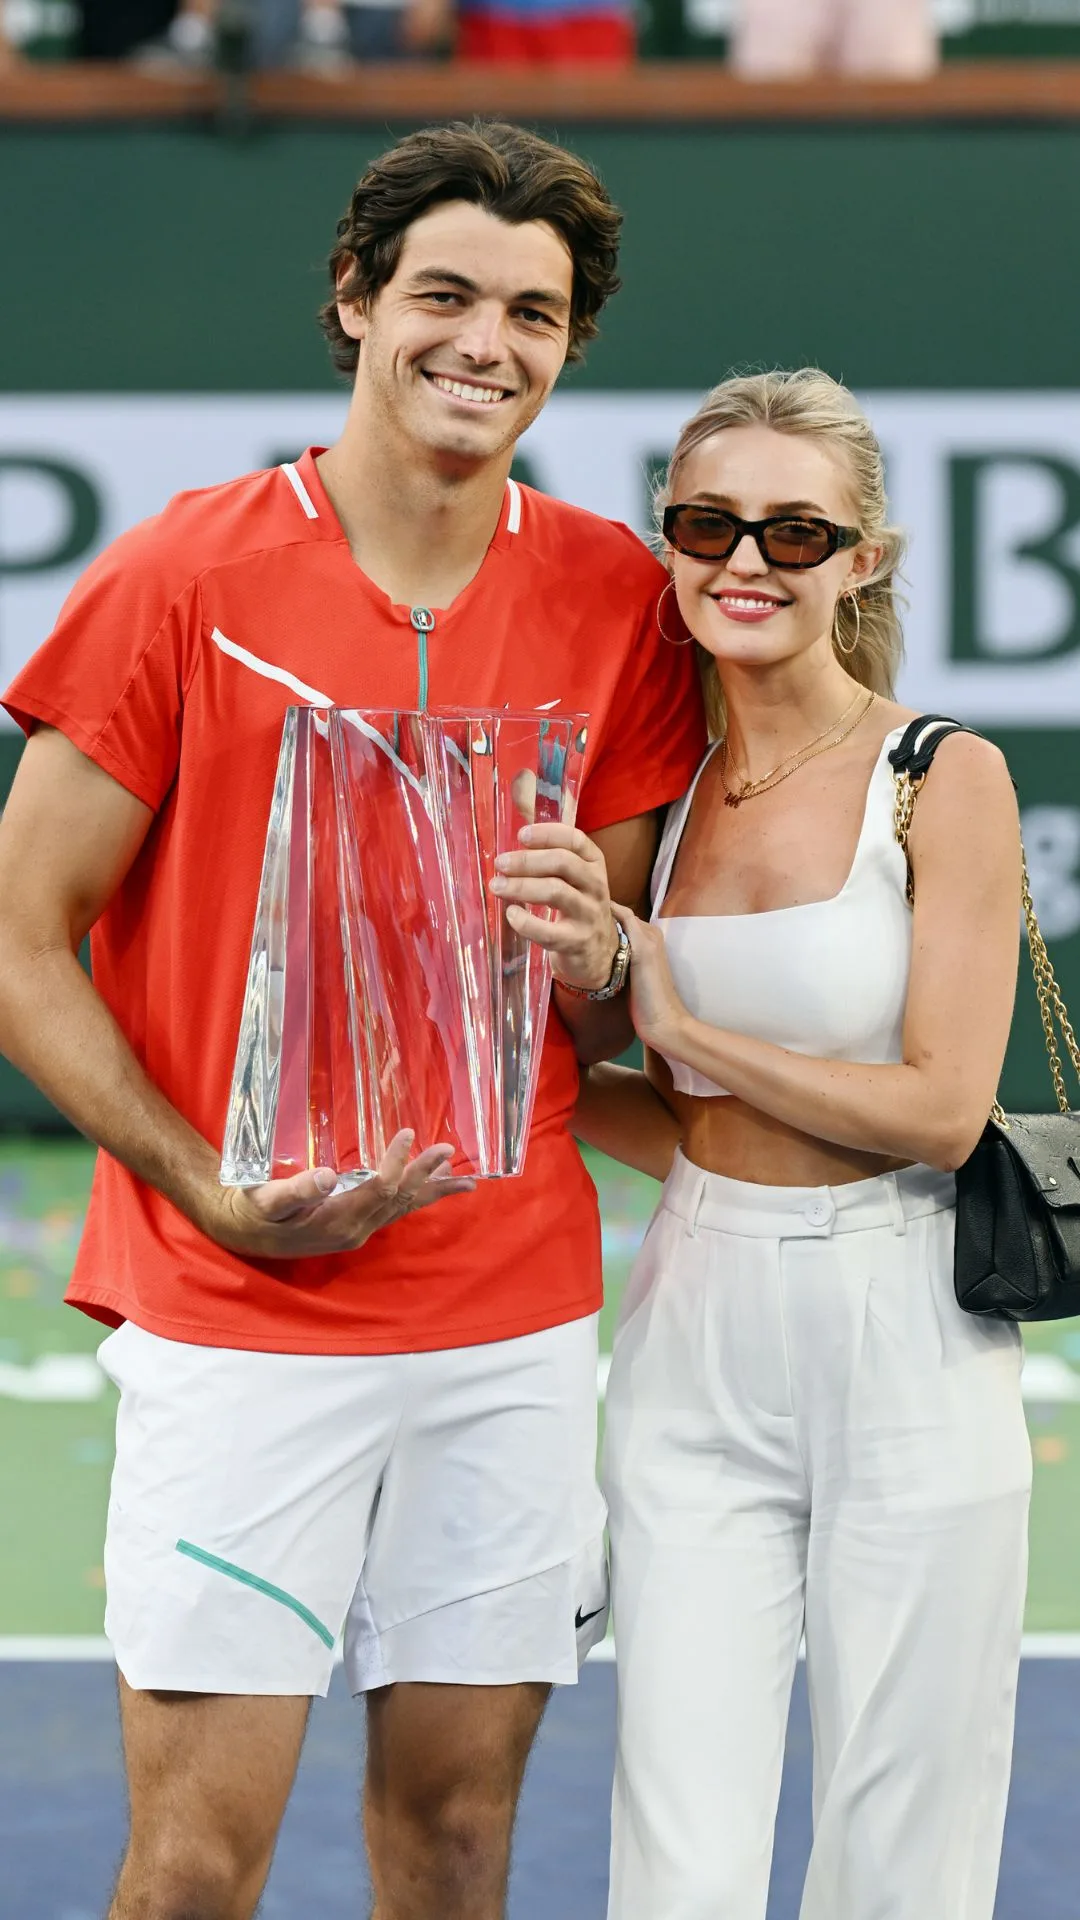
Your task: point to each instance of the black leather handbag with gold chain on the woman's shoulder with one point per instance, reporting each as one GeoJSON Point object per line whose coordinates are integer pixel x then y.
{"type": "Point", "coordinates": [1019, 1195]}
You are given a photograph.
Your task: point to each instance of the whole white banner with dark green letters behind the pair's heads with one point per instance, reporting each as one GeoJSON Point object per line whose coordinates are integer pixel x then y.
{"type": "Point", "coordinates": [989, 487]}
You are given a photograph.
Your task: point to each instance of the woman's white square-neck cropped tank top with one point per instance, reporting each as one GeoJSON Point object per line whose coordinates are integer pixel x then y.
{"type": "Point", "coordinates": [827, 978]}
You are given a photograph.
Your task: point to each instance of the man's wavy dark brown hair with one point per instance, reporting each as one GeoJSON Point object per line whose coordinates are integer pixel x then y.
{"type": "Point", "coordinates": [508, 172]}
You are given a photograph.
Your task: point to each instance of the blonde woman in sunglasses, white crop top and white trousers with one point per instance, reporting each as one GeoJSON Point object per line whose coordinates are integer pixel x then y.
{"type": "Point", "coordinates": [804, 1431]}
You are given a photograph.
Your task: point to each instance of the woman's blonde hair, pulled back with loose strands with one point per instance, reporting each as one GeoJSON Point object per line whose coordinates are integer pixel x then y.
{"type": "Point", "coordinates": [812, 402]}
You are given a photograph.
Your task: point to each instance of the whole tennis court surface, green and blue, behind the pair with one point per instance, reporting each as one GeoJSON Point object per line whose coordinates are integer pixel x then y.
{"type": "Point", "coordinates": [61, 1775]}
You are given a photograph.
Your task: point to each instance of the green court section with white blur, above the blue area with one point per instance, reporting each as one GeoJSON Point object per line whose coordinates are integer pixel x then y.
{"type": "Point", "coordinates": [57, 1410]}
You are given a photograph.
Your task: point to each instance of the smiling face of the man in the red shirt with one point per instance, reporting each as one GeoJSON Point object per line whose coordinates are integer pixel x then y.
{"type": "Point", "coordinates": [468, 339]}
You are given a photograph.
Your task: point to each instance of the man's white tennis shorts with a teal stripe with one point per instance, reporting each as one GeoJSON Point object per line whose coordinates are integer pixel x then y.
{"type": "Point", "coordinates": [437, 1510]}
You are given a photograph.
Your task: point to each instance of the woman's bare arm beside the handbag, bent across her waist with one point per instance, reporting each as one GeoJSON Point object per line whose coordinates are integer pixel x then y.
{"type": "Point", "coordinates": [966, 855]}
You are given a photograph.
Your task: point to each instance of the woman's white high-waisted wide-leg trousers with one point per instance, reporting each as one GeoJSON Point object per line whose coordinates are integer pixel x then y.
{"type": "Point", "coordinates": [806, 1433]}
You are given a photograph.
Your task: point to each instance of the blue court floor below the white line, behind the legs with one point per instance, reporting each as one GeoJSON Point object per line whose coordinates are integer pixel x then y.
{"type": "Point", "coordinates": [62, 1804]}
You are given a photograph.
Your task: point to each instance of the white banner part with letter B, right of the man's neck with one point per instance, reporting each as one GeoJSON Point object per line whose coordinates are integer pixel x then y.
{"type": "Point", "coordinates": [987, 485]}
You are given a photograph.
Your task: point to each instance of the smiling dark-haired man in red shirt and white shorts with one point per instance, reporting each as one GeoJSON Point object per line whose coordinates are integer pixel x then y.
{"type": "Point", "coordinates": [326, 1428]}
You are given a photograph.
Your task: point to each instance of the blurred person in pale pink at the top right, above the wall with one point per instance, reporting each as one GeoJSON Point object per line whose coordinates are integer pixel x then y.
{"type": "Point", "coordinates": [791, 39]}
